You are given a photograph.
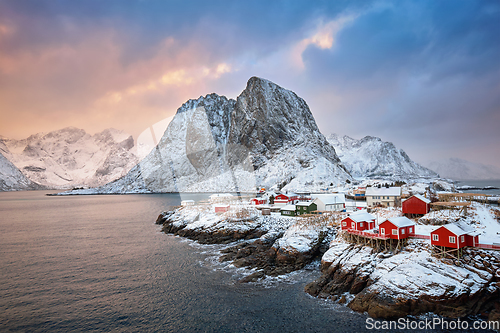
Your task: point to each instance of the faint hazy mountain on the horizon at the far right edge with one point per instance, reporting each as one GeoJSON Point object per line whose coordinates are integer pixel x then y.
{"type": "Point", "coordinates": [459, 169]}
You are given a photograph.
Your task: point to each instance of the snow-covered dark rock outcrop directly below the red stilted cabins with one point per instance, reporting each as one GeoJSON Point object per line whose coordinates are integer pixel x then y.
{"type": "Point", "coordinates": [411, 282]}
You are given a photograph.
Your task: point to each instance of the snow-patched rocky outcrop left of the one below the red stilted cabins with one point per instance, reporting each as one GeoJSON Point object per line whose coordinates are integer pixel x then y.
{"type": "Point", "coordinates": [266, 248]}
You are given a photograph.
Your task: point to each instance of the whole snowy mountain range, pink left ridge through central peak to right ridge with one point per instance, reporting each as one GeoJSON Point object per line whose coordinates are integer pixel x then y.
{"type": "Point", "coordinates": [267, 137]}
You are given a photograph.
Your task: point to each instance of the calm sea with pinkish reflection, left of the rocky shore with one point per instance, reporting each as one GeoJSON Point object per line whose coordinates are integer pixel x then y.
{"type": "Point", "coordinates": [98, 263]}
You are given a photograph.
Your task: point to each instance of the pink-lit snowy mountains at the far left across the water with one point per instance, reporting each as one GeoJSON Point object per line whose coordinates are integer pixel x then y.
{"type": "Point", "coordinates": [70, 157]}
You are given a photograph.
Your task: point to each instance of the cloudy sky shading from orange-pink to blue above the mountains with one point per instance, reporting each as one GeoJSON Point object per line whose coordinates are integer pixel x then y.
{"type": "Point", "coordinates": [422, 74]}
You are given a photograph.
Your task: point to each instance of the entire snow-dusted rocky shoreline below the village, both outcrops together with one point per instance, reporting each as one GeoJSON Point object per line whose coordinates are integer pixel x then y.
{"type": "Point", "coordinates": [381, 284]}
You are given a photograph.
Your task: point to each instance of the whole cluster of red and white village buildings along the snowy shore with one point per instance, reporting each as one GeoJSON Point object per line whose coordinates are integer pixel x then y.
{"type": "Point", "coordinates": [361, 223]}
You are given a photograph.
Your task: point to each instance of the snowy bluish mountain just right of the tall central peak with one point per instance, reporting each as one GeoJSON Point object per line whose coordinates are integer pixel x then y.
{"type": "Point", "coordinates": [372, 157]}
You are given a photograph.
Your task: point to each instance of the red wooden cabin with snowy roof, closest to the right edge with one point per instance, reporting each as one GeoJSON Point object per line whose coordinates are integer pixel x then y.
{"type": "Point", "coordinates": [454, 235]}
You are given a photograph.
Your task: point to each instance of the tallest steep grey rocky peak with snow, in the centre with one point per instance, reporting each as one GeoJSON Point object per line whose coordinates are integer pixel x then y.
{"type": "Point", "coordinates": [266, 137]}
